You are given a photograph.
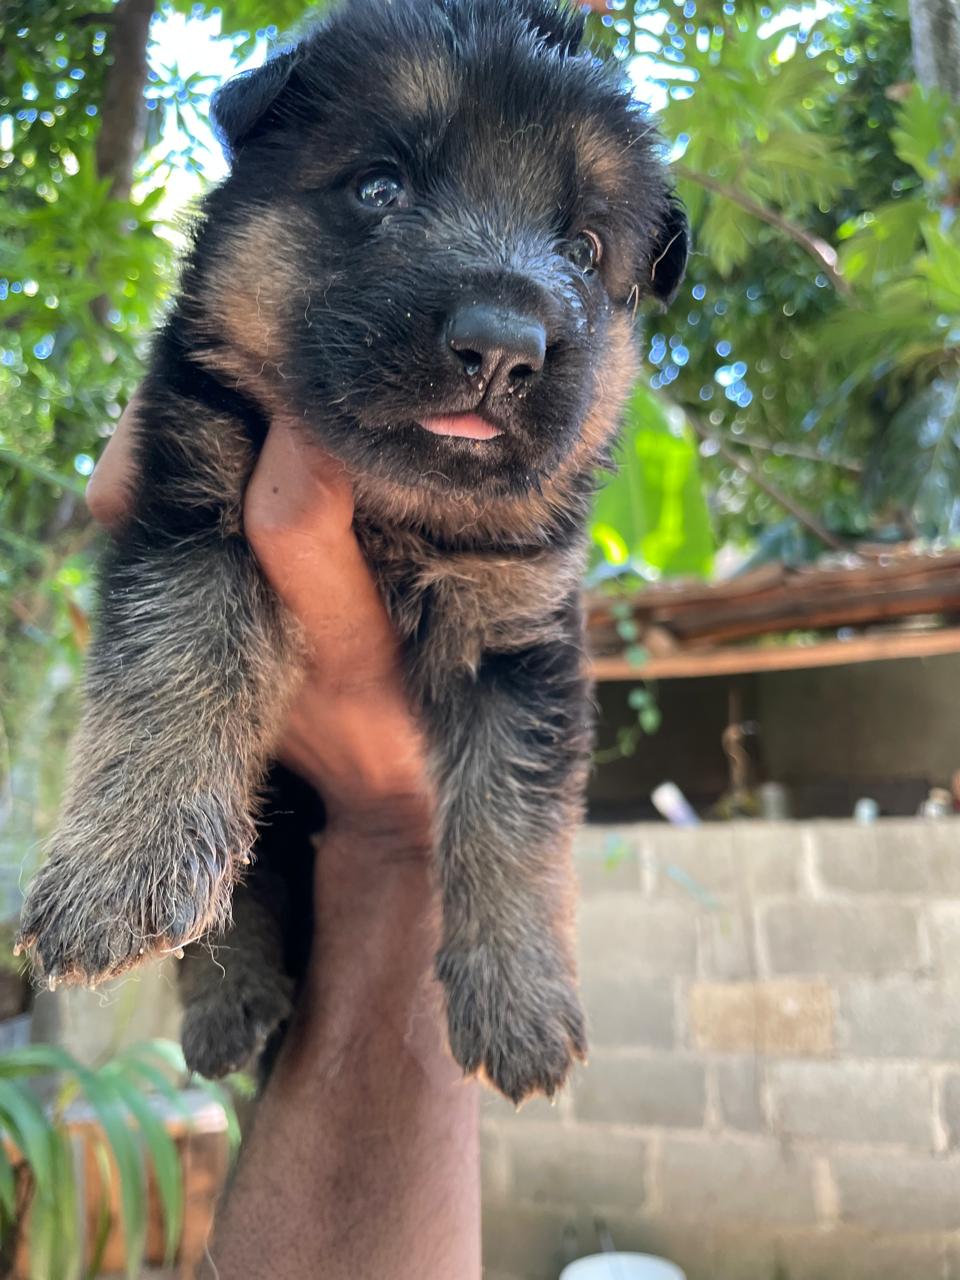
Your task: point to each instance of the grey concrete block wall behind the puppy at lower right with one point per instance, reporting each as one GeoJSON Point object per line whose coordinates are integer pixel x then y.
{"type": "Point", "coordinates": [774, 1090]}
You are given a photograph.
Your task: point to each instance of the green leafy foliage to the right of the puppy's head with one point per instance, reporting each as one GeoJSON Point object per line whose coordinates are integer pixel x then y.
{"type": "Point", "coordinates": [797, 138]}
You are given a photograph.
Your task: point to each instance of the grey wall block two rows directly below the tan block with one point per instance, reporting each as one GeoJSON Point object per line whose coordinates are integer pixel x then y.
{"type": "Point", "coordinates": [737, 1182]}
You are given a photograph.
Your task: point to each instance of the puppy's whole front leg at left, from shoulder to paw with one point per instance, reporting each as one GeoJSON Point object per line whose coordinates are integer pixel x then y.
{"type": "Point", "coordinates": [186, 678]}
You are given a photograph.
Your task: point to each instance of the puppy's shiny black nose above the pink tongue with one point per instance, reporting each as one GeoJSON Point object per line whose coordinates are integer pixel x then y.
{"type": "Point", "coordinates": [500, 350]}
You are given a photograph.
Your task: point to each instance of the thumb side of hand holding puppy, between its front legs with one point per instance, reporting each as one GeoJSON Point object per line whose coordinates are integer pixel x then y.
{"type": "Point", "coordinates": [299, 518]}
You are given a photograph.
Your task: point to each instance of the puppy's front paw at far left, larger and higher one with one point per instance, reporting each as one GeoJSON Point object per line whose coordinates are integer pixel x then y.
{"type": "Point", "coordinates": [99, 907]}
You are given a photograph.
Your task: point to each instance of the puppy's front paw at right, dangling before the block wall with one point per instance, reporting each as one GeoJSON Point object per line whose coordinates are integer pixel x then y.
{"type": "Point", "coordinates": [514, 1017]}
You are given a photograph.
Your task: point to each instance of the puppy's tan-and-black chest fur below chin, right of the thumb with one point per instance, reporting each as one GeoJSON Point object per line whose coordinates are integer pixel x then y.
{"type": "Point", "coordinates": [454, 607]}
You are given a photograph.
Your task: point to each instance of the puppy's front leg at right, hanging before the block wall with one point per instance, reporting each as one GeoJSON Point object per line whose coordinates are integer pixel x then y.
{"type": "Point", "coordinates": [514, 747]}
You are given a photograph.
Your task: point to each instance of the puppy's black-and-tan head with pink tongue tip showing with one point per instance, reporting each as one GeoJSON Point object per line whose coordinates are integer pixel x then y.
{"type": "Point", "coordinates": [440, 221]}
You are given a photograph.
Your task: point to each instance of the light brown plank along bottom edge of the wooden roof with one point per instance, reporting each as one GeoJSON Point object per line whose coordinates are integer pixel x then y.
{"type": "Point", "coordinates": [744, 661]}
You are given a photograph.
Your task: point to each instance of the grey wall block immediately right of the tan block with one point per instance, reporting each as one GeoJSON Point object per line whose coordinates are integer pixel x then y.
{"type": "Point", "coordinates": [898, 1017]}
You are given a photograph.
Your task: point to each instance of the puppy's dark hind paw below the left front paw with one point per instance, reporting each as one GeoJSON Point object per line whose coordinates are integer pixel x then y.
{"type": "Point", "coordinates": [230, 1025]}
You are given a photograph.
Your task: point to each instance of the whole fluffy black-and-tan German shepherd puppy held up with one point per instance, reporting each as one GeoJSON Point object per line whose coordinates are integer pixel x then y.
{"type": "Point", "coordinates": [438, 225]}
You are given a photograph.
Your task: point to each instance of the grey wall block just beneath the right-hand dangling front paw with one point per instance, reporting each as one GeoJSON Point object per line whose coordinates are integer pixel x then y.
{"type": "Point", "coordinates": [586, 1167]}
